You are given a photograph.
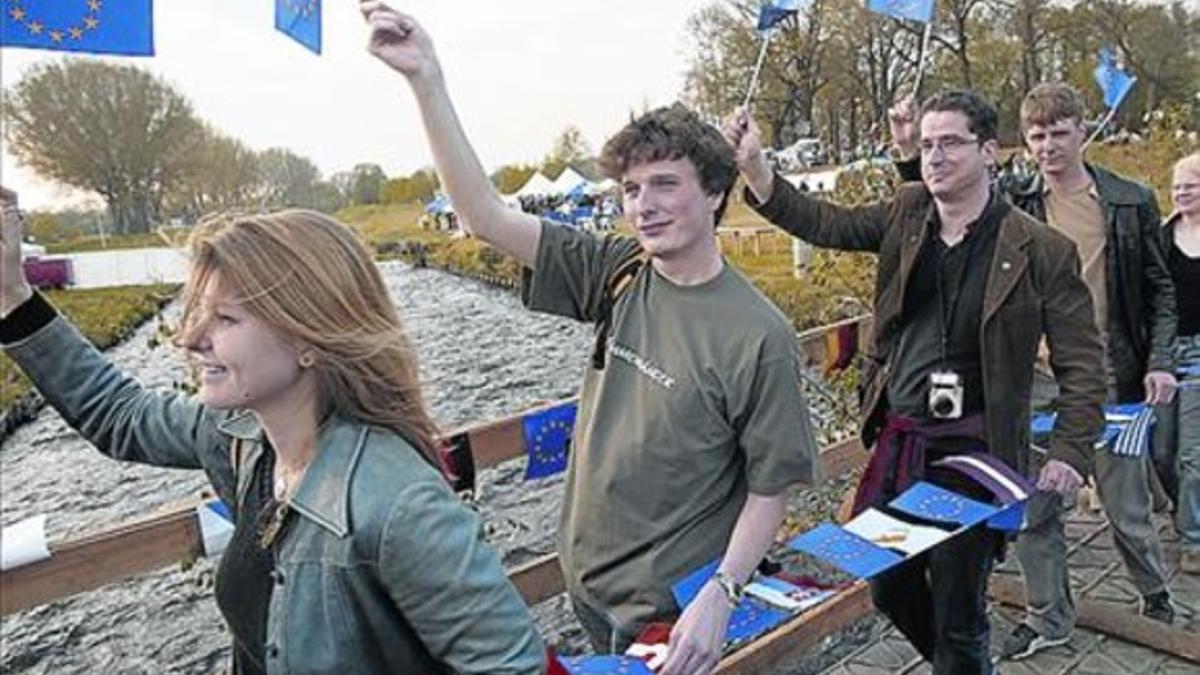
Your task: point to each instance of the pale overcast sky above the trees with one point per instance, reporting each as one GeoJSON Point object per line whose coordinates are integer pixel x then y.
{"type": "Point", "coordinates": [520, 73]}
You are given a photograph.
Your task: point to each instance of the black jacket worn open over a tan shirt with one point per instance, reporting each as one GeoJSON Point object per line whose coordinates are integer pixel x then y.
{"type": "Point", "coordinates": [1142, 297]}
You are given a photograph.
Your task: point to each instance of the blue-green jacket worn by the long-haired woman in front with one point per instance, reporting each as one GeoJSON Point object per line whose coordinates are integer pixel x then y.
{"type": "Point", "coordinates": [385, 570]}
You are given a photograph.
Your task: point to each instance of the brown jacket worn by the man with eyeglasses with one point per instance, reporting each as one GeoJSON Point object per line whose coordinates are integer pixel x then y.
{"type": "Point", "coordinates": [1034, 290]}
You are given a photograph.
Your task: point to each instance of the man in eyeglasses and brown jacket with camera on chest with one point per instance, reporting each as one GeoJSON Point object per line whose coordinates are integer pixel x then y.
{"type": "Point", "coordinates": [967, 289]}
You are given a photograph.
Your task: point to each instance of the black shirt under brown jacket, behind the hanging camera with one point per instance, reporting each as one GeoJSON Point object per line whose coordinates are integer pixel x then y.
{"type": "Point", "coordinates": [947, 285]}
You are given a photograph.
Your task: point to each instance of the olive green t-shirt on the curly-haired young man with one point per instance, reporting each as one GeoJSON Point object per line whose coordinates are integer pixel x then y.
{"type": "Point", "coordinates": [700, 403]}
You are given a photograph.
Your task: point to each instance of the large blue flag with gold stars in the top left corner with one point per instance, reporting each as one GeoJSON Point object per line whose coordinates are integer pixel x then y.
{"type": "Point", "coordinates": [99, 27]}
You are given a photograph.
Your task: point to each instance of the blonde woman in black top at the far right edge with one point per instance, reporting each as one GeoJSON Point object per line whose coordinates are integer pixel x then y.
{"type": "Point", "coordinates": [1178, 445]}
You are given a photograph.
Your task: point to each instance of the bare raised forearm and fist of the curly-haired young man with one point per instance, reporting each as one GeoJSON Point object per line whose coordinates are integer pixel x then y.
{"type": "Point", "coordinates": [400, 43]}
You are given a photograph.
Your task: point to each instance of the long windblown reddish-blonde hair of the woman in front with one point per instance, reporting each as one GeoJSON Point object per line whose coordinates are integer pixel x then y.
{"type": "Point", "coordinates": [313, 282]}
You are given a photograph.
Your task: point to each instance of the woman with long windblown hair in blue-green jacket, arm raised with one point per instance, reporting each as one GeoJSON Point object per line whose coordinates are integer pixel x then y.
{"type": "Point", "coordinates": [351, 554]}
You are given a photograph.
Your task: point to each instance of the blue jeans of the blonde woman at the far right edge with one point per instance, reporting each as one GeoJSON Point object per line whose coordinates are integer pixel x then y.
{"type": "Point", "coordinates": [1178, 447]}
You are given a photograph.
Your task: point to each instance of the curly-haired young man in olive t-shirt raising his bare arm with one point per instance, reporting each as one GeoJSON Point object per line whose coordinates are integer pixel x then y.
{"type": "Point", "coordinates": [689, 435]}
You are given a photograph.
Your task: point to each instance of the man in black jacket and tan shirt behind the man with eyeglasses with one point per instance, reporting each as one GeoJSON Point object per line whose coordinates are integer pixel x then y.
{"type": "Point", "coordinates": [1114, 223]}
